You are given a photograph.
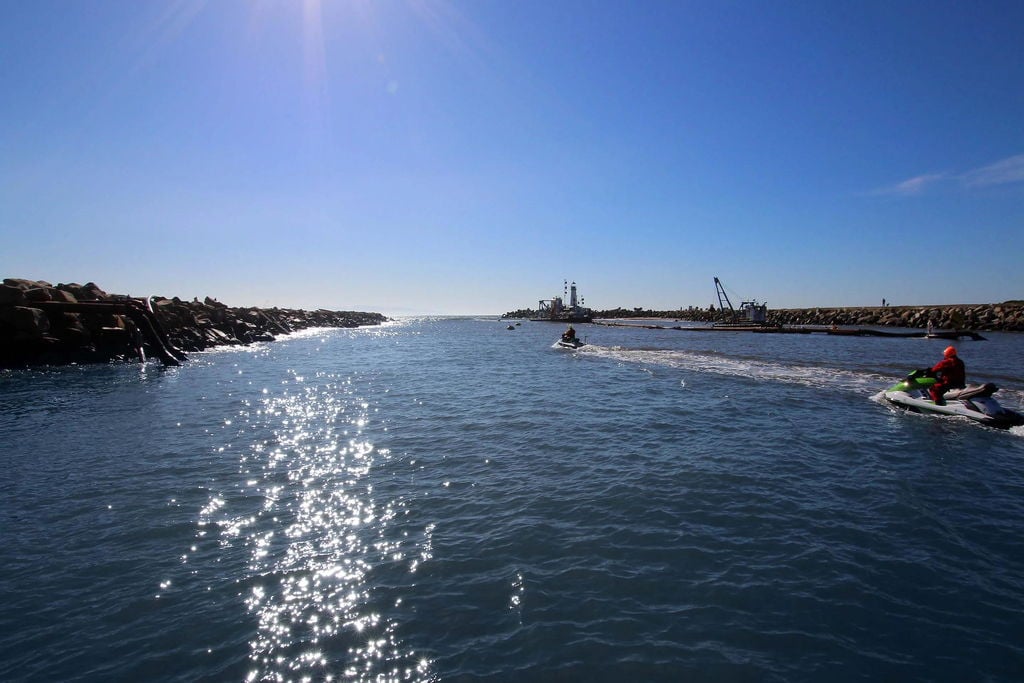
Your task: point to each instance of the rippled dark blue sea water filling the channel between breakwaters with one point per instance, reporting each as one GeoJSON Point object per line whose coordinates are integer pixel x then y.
{"type": "Point", "coordinates": [443, 500]}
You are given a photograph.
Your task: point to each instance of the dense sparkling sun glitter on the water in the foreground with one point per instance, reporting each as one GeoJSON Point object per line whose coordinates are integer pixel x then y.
{"type": "Point", "coordinates": [318, 535]}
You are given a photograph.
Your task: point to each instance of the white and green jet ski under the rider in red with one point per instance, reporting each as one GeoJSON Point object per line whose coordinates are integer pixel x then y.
{"type": "Point", "coordinates": [974, 402]}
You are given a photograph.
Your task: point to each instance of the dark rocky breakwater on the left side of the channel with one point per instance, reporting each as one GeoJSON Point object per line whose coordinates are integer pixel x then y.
{"type": "Point", "coordinates": [44, 324]}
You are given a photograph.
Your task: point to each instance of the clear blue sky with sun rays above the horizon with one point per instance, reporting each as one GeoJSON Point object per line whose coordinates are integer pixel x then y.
{"type": "Point", "coordinates": [425, 157]}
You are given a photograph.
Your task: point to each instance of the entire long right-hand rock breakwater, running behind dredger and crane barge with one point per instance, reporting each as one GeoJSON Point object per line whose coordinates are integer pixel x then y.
{"type": "Point", "coordinates": [1007, 317]}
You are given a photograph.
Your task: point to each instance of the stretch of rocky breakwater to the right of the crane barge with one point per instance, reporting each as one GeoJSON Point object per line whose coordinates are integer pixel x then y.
{"type": "Point", "coordinates": [1007, 317]}
